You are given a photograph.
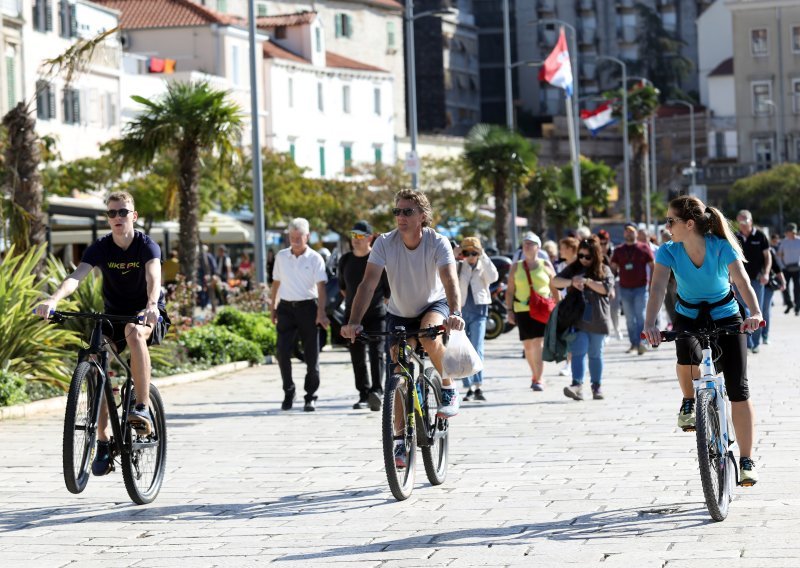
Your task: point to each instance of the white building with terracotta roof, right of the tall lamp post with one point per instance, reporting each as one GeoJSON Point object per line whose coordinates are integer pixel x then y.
{"type": "Point", "coordinates": [328, 111]}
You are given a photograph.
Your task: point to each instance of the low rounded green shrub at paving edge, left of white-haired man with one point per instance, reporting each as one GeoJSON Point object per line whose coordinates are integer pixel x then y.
{"type": "Point", "coordinates": [217, 345]}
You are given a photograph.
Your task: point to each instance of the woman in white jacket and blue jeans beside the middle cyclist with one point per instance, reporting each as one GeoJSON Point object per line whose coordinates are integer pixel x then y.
{"type": "Point", "coordinates": [476, 272]}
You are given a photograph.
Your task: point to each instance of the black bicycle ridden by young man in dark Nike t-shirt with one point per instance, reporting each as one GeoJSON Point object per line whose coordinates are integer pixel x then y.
{"type": "Point", "coordinates": [143, 457]}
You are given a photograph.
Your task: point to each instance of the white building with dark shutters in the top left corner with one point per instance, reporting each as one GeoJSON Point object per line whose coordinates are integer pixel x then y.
{"type": "Point", "coordinates": [86, 110]}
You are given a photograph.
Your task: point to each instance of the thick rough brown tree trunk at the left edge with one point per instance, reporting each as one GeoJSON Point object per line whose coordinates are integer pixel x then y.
{"type": "Point", "coordinates": [23, 183]}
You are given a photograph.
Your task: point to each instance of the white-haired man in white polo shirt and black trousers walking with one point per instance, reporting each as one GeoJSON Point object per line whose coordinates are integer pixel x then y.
{"type": "Point", "coordinates": [298, 307]}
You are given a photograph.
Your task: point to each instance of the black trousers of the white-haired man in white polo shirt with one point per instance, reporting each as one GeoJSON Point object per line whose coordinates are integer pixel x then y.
{"type": "Point", "coordinates": [298, 319]}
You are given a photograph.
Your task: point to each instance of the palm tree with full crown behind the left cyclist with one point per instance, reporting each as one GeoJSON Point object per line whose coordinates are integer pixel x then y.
{"type": "Point", "coordinates": [188, 119]}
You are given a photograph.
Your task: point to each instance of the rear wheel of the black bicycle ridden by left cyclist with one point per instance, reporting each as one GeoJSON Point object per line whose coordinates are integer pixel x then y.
{"type": "Point", "coordinates": [144, 457]}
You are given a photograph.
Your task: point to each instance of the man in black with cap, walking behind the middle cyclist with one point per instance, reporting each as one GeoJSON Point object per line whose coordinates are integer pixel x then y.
{"type": "Point", "coordinates": [352, 266]}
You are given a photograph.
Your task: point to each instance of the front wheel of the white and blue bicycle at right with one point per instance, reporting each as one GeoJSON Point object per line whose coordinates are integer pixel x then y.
{"type": "Point", "coordinates": [713, 466]}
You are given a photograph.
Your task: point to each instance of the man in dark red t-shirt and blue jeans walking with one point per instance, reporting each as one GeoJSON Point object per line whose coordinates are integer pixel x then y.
{"type": "Point", "coordinates": [632, 260]}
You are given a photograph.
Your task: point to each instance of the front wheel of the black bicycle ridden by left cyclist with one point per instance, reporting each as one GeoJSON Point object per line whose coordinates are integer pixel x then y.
{"type": "Point", "coordinates": [78, 441]}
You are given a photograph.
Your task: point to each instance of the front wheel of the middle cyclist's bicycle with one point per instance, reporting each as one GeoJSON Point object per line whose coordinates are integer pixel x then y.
{"type": "Point", "coordinates": [400, 463]}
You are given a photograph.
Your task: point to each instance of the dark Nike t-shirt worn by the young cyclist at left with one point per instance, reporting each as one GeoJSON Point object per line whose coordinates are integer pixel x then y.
{"type": "Point", "coordinates": [124, 281]}
